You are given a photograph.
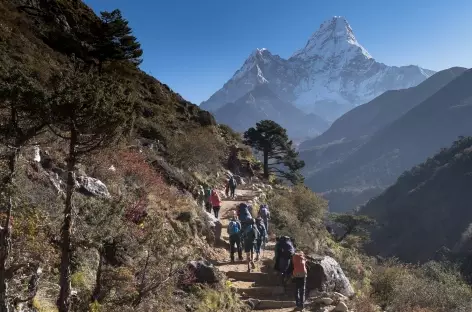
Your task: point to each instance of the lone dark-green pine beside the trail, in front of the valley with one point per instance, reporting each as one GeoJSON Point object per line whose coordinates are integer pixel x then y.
{"type": "Point", "coordinates": [272, 140]}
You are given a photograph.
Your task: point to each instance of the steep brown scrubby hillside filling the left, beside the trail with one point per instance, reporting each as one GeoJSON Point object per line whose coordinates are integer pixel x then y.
{"type": "Point", "coordinates": [113, 225]}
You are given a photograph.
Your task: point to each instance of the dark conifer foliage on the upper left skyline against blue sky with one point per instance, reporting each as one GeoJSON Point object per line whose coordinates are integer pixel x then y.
{"type": "Point", "coordinates": [115, 41]}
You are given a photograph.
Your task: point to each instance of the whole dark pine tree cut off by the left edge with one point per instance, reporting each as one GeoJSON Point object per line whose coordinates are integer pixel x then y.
{"type": "Point", "coordinates": [21, 101]}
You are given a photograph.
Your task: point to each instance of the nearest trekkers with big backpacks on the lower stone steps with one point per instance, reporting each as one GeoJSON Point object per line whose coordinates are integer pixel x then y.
{"type": "Point", "coordinates": [252, 235]}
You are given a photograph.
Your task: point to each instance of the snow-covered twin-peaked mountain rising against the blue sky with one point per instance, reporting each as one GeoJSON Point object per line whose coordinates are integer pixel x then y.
{"type": "Point", "coordinates": [329, 76]}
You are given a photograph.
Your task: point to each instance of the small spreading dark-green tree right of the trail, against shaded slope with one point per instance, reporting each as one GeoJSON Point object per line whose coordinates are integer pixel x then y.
{"type": "Point", "coordinates": [353, 225]}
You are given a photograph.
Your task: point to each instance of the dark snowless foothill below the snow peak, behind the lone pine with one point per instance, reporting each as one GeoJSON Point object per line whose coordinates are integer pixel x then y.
{"type": "Point", "coordinates": [261, 104]}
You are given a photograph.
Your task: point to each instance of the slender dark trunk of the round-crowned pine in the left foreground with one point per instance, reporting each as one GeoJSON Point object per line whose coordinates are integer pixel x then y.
{"type": "Point", "coordinates": [63, 303]}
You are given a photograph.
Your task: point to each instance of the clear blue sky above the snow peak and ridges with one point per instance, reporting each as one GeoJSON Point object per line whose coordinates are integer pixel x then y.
{"type": "Point", "coordinates": [195, 46]}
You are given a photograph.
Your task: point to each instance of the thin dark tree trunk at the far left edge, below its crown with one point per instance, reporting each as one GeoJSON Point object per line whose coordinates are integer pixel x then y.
{"type": "Point", "coordinates": [5, 239]}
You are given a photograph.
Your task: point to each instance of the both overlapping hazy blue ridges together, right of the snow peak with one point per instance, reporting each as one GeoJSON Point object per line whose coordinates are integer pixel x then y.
{"type": "Point", "coordinates": [365, 150]}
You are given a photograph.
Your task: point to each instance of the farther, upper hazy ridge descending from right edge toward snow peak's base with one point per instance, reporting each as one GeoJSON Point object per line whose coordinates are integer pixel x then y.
{"type": "Point", "coordinates": [356, 127]}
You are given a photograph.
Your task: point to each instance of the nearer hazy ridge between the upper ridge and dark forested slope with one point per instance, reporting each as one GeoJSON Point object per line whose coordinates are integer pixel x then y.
{"type": "Point", "coordinates": [414, 136]}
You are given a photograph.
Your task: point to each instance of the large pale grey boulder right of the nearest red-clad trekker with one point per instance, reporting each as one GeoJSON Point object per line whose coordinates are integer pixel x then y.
{"type": "Point", "coordinates": [325, 274]}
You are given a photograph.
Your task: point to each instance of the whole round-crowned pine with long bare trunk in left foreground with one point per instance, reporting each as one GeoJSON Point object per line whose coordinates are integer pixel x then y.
{"type": "Point", "coordinates": [88, 111]}
